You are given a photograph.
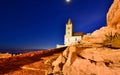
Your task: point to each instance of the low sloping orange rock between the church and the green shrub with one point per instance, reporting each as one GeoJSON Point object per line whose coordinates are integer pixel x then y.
{"type": "Point", "coordinates": [97, 36]}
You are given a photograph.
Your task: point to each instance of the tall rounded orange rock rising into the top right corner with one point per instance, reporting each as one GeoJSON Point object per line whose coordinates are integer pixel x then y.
{"type": "Point", "coordinates": [113, 16]}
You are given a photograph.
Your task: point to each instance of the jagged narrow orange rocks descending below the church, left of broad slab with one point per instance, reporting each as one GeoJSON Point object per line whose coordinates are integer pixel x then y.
{"type": "Point", "coordinates": [70, 56]}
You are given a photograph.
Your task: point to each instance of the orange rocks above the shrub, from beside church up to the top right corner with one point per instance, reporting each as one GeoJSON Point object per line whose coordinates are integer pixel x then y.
{"type": "Point", "coordinates": [113, 25]}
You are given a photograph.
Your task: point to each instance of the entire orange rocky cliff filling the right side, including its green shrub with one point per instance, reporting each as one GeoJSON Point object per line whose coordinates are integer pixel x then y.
{"type": "Point", "coordinates": [92, 56]}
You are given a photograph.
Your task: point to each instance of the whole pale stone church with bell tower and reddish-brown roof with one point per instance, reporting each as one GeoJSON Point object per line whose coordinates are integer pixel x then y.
{"type": "Point", "coordinates": [71, 37]}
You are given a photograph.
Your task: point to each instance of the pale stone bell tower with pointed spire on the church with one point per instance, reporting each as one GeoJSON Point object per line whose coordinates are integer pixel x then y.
{"type": "Point", "coordinates": [69, 32]}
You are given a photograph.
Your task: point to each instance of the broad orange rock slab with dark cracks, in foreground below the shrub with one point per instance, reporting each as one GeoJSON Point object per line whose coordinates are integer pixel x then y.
{"type": "Point", "coordinates": [92, 61]}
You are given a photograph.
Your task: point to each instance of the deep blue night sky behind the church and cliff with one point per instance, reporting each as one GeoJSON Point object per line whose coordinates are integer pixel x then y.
{"type": "Point", "coordinates": [41, 23]}
